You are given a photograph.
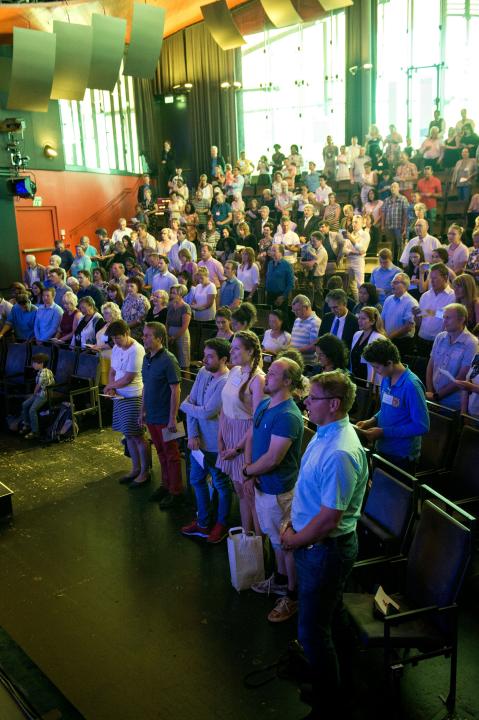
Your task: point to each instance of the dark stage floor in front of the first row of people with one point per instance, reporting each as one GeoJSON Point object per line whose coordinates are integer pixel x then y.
{"type": "Point", "coordinates": [131, 621]}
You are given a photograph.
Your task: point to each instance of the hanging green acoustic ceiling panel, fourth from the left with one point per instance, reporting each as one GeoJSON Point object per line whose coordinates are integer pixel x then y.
{"type": "Point", "coordinates": [145, 41]}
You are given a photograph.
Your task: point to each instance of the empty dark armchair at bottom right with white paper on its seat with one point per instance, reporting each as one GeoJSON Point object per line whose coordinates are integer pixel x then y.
{"type": "Point", "coordinates": [426, 585]}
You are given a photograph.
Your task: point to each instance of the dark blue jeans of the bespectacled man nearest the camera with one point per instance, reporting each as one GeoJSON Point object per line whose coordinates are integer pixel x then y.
{"type": "Point", "coordinates": [322, 620]}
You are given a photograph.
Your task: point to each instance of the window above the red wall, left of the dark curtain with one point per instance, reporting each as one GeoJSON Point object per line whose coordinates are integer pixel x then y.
{"type": "Point", "coordinates": [99, 133]}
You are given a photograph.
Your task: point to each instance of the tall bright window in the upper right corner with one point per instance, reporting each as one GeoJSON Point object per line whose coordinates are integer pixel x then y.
{"type": "Point", "coordinates": [426, 51]}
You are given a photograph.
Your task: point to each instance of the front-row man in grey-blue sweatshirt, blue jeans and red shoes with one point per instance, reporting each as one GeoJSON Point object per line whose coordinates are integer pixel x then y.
{"type": "Point", "coordinates": [202, 408]}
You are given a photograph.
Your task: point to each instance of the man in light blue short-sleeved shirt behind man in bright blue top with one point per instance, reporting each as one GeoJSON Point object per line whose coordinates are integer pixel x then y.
{"type": "Point", "coordinates": [451, 356]}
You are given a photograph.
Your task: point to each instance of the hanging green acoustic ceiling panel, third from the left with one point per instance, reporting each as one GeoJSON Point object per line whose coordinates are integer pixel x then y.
{"type": "Point", "coordinates": [107, 51]}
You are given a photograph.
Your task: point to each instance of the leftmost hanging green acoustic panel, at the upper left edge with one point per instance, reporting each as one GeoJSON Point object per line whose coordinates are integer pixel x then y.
{"type": "Point", "coordinates": [33, 65]}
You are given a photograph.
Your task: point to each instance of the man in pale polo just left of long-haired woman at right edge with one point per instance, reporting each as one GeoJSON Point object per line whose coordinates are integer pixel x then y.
{"type": "Point", "coordinates": [429, 316]}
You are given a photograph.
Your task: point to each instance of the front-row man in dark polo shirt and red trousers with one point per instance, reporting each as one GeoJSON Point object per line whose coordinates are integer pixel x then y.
{"type": "Point", "coordinates": [161, 400]}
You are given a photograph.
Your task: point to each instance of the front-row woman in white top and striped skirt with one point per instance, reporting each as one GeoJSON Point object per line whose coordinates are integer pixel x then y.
{"type": "Point", "coordinates": [125, 386]}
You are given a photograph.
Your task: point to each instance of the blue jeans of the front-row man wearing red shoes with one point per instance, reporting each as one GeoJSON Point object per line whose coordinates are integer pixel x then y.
{"type": "Point", "coordinates": [221, 484]}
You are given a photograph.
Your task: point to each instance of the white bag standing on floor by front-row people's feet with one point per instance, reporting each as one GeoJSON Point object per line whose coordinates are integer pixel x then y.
{"type": "Point", "coordinates": [245, 553]}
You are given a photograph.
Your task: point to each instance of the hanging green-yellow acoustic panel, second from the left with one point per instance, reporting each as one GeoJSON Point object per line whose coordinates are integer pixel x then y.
{"type": "Point", "coordinates": [72, 61]}
